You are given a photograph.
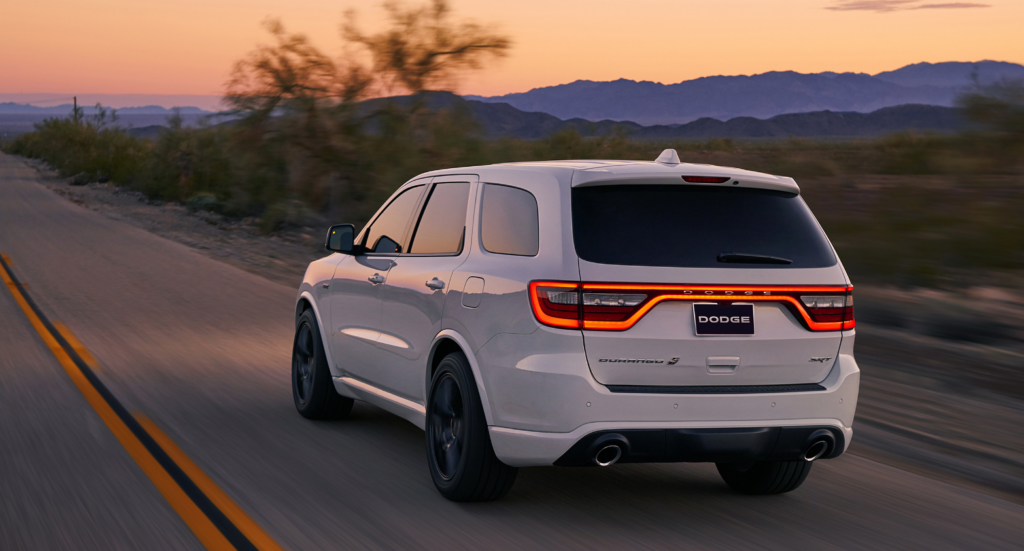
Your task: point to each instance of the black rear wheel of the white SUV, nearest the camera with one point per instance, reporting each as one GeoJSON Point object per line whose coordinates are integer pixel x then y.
{"type": "Point", "coordinates": [461, 459]}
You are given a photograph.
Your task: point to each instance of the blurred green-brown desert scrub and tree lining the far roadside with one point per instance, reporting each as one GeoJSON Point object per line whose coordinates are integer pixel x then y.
{"type": "Point", "coordinates": [313, 136]}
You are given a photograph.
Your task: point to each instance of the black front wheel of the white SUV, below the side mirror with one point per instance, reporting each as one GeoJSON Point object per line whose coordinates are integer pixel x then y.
{"type": "Point", "coordinates": [313, 389]}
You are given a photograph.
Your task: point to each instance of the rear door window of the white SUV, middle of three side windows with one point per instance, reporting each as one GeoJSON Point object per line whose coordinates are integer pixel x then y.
{"type": "Point", "coordinates": [444, 223]}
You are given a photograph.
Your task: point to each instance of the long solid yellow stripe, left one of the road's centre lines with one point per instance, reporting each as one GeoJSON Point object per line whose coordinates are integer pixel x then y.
{"type": "Point", "coordinates": [201, 526]}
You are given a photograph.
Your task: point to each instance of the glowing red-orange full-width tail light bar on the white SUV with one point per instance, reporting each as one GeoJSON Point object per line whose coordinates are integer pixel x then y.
{"type": "Point", "coordinates": [618, 308]}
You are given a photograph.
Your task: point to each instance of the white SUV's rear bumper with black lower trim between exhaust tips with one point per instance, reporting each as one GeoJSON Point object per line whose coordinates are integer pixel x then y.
{"type": "Point", "coordinates": [694, 428]}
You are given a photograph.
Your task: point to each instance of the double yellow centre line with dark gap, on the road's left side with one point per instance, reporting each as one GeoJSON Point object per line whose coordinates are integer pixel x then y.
{"type": "Point", "coordinates": [216, 520]}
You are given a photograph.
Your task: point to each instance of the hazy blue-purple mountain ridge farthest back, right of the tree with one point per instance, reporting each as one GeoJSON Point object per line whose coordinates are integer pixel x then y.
{"type": "Point", "coordinates": [762, 96]}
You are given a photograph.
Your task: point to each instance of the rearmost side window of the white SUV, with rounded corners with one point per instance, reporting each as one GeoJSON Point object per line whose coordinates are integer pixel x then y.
{"type": "Point", "coordinates": [509, 222]}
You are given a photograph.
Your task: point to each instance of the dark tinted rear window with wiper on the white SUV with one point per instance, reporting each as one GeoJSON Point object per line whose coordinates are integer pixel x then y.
{"type": "Point", "coordinates": [697, 227]}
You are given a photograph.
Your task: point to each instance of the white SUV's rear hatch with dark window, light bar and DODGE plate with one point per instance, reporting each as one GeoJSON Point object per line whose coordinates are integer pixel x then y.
{"type": "Point", "coordinates": [706, 286]}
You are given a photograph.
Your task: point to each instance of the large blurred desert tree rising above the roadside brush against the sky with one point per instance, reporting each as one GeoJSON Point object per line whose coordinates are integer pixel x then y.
{"type": "Point", "coordinates": [314, 109]}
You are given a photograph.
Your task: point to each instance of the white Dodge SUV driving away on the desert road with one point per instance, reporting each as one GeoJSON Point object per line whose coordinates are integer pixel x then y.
{"type": "Point", "coordinates": [588, 313]}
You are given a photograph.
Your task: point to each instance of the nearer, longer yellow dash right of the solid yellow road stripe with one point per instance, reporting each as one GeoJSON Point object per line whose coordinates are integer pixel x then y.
{"type": "Point", "coordinates": [252, 531]}
